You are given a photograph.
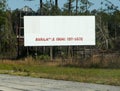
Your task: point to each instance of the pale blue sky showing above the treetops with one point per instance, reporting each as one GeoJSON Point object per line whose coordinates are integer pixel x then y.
{"type": "Point", "coordinates": [14, 4]}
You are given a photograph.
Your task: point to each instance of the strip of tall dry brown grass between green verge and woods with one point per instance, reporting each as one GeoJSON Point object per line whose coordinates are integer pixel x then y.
{"type": "Point", "coordinates": [96, 61]}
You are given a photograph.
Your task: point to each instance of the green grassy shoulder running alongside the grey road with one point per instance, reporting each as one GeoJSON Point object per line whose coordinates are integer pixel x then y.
{"type": "Point", "coordinates": [52, 70]}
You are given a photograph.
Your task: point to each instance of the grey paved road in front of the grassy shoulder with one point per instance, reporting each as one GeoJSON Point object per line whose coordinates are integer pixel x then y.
{"type": "Point", "coordinates": [18, 83]}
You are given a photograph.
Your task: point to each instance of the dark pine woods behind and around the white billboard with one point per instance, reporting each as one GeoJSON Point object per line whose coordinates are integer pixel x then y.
{"type": "Point", "coordinates": [107, 29]}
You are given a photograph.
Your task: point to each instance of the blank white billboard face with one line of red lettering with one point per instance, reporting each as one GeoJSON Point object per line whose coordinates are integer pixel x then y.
{"type": "Point", "coordinates": [59, 30]}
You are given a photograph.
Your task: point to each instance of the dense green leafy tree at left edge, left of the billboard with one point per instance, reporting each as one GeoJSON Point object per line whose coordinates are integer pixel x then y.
{"type": "Point", "coordinates": [7, 37]}
